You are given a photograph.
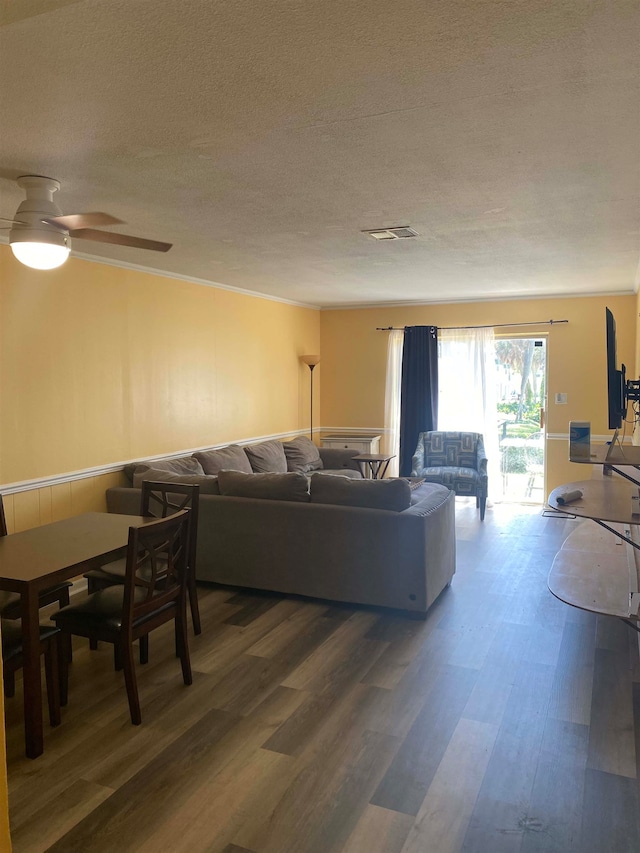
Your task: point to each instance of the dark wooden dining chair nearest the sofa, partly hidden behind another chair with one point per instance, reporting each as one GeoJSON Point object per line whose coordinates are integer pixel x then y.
{"type": "Point", "coordinates": [160, 500]}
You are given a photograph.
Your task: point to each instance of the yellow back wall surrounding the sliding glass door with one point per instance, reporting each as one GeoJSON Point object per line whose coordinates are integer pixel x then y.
{"type": "Point", "coordinates": [354, 359]}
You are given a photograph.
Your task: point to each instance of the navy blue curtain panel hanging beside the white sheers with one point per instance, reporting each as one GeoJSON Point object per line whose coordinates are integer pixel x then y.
{"type": "Point", "coordinates": [419, 390]}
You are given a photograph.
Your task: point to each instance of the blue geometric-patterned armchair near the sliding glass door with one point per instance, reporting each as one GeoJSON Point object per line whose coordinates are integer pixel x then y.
{"type": "Point", "coordinates": [456, 460]}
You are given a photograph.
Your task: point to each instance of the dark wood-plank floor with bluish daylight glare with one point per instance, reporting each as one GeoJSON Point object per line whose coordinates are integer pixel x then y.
{"type": "Point", "coordinates": [507, 722]}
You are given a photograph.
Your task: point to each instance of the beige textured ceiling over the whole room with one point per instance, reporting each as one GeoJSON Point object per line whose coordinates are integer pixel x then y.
{"type": "Point", "coordinates": [262, 137]}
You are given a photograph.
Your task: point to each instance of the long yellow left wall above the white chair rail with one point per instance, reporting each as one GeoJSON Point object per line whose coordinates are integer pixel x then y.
{"type": "Point", "coordinates": [100, 365]}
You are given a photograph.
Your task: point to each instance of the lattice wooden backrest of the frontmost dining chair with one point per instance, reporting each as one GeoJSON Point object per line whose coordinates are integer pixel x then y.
{"type": "Point", "coordinates": [156, 572]}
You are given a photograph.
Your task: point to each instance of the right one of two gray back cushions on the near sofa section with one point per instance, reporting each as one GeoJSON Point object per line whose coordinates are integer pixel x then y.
{"type": "Point", "coordinates": [394, 494]}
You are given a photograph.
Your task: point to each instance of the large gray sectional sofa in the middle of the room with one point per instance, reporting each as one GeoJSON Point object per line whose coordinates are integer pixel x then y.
{"type": "Point", "coordinates": [325, 535]}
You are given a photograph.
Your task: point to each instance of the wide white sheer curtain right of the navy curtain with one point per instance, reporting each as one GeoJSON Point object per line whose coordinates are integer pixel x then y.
{"type": "Point", "coordinates": [467, 398]}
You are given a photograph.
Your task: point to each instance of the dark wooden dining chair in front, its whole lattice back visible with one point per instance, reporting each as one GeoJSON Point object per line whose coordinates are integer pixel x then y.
{"type": "Point", "coordinates": [154, 592]}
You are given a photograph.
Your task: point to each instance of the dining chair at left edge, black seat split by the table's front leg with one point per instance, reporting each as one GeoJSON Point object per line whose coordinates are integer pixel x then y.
{"type": "Point", "coordinates": [12, 662]}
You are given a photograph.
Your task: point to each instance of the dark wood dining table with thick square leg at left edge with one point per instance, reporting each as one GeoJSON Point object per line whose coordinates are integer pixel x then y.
{"type": "Point", "coordinates": [35, 559]}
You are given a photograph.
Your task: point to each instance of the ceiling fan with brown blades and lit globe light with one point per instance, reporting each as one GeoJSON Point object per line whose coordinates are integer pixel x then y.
{"type": "Point", "coordinates": [40, 234]}
